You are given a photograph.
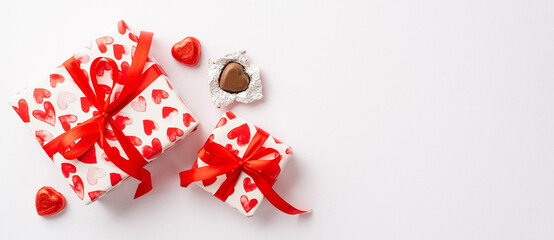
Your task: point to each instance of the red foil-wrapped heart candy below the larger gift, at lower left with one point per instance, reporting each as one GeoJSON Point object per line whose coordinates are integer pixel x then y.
{"type": "Point", "coordinates": [49, 201]}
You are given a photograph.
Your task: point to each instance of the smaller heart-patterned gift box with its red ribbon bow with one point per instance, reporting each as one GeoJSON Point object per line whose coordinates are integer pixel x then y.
{"type": "Point", "coordinates": [239, 163]}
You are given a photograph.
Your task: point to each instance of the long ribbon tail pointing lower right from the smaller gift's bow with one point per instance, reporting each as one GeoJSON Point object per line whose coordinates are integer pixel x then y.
{"type": "Point", "coordinates": [273, 197]}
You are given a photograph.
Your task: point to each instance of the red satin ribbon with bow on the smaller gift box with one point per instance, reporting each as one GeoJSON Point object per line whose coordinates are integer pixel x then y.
{"type": "Point", "coordinates": [221, 161]}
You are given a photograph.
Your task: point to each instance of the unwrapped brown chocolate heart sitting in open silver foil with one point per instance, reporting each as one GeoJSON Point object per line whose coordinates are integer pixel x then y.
{"type": "Point", "coordinates": [233, 79]}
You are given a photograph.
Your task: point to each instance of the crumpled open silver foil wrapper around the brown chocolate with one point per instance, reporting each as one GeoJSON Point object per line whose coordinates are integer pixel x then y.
{"type": "Point", "coordinates": [223, 98]}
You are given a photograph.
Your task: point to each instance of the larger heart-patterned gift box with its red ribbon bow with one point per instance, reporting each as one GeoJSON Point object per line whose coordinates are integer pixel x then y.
{"type": "Point", "coordinates": [105, 113]}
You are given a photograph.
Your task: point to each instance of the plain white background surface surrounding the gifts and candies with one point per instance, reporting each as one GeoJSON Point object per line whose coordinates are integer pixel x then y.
{"type": "Point", "coordinates": [427, 120]}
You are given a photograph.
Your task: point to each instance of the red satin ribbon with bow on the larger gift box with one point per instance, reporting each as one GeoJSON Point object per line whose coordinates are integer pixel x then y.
{"type": "Point", "coordinates": [78, 140]}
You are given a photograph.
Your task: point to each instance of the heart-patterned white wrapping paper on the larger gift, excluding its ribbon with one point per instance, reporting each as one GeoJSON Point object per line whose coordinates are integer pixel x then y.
{"type": "Point", "coordinates": [153, 121]}
